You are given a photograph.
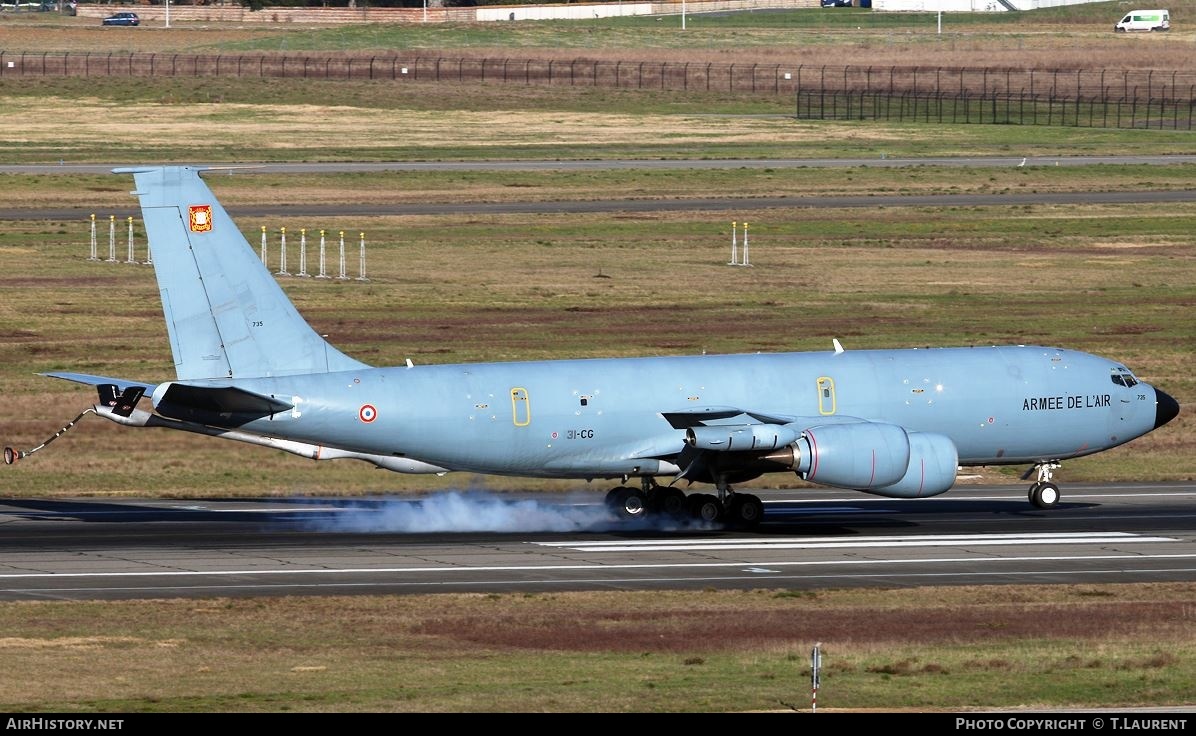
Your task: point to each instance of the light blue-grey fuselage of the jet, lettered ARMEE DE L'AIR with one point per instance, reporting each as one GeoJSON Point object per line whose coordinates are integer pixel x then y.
{"type": "Point", "coordinates": [595, 418]}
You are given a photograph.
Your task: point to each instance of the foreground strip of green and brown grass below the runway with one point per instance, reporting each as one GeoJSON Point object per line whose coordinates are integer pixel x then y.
{"type": "Point", "coordinates": [606, 652]}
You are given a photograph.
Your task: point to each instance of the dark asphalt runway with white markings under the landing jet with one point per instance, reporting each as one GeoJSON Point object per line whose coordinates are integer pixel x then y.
{"type": "Point", "coordinates": [811, 539]}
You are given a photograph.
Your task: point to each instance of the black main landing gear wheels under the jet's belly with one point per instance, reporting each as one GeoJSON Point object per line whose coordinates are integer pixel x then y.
{"type": "Point", "coordinates": [652, 501]}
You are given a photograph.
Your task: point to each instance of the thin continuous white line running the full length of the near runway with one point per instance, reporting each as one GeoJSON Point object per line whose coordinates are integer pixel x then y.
{"type": "Point", "coordinates": [446, 569]}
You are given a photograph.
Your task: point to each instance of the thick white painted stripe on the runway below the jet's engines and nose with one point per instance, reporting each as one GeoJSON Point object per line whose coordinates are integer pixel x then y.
{"type": "Point", "coordinates": [847, 543]}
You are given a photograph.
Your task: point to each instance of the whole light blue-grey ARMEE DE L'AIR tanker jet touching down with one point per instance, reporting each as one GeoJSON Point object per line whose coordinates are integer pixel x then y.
{"type": "Point", "coordinates": [894, 423]}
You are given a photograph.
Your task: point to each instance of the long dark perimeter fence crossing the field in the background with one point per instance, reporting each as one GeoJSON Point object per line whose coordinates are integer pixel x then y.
{"type": "Point", "coordinates": [1115, 99]}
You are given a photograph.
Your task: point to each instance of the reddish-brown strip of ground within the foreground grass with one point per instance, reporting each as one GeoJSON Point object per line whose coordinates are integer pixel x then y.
{"type": "Point", "coordinates": [680, 630]}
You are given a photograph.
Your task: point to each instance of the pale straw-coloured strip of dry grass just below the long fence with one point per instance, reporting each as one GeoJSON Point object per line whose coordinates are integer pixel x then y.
{"type": "Point", "coordinates": [312, 127]}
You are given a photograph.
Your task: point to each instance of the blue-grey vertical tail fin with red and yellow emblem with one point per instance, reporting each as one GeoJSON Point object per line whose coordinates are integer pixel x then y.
{"type": "Point", "coordinates": [225, 314]}
